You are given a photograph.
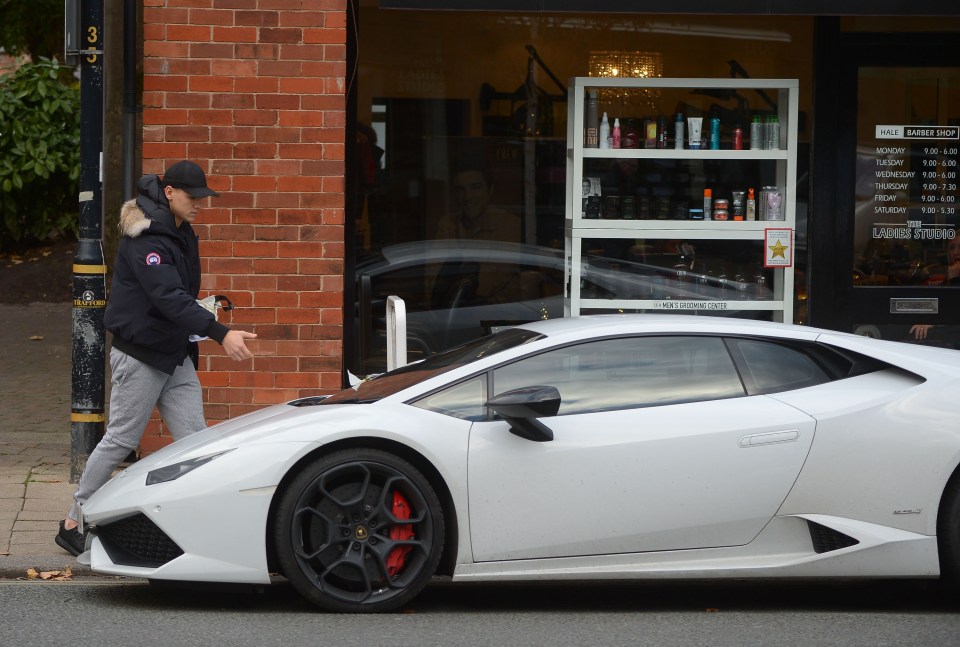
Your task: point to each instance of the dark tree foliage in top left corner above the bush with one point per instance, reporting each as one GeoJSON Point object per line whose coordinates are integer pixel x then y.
{"type": "Point", "coordinates": [34, 28]}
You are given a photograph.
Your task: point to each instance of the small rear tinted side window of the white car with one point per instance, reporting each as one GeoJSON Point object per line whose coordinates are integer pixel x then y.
{"type": "Point", "coordinates": [774, 367]}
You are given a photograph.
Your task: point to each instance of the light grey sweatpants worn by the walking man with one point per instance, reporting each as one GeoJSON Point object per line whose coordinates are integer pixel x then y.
{"type": "Point", "coordinates": [136, 388]}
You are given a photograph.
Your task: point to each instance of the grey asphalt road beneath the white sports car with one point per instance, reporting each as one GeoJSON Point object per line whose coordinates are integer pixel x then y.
{"type": "Point", "coordinates": [107, 612]}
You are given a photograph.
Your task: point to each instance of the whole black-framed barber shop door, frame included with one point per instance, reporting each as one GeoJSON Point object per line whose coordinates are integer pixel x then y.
{"type": "Point", "coordinates": [894, 251]}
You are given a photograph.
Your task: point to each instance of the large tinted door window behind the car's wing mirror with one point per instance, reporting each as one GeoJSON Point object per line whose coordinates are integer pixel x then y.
{"type": "Point", "coordinates": [628, 372]}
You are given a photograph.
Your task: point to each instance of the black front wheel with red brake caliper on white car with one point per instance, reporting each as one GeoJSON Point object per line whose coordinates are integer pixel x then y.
{"type": "Point", "coordinates": [359, 530]}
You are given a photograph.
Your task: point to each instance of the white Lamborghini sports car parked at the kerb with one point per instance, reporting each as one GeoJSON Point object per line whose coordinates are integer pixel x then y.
{"type": "Point", "coordinates": [611, 447]}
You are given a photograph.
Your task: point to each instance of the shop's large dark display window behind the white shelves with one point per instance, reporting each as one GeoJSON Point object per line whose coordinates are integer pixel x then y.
{"type": "Point", "coordinates": [462, 129]}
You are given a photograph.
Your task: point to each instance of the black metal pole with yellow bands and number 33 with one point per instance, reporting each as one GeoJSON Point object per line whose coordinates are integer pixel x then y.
{"type": "Point", "coordinates": [89, 270]}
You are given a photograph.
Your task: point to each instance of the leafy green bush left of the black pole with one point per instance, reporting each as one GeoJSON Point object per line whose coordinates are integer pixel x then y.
{"type": "Point", "coordinates": [39, 154]}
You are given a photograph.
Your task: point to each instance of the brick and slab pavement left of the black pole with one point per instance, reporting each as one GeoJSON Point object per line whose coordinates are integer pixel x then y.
{"type": "Point", "coordinates": [35, 397]}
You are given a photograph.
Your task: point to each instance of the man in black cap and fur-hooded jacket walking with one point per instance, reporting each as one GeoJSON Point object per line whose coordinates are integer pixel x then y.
{"type": "Point", "coordinates": [153, 313]}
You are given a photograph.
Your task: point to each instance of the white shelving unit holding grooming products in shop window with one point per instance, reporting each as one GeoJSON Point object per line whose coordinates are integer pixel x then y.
{"type": "Point", "coordinates": [784, 163]}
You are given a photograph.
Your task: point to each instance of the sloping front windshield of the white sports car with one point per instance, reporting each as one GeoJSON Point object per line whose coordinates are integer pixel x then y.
{"type": "Point", "coordinates": [380, 386]}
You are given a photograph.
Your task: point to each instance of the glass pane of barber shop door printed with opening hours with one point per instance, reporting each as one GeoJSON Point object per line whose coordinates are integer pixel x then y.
{"type": "Point", "coordinates": [906, 246]}
